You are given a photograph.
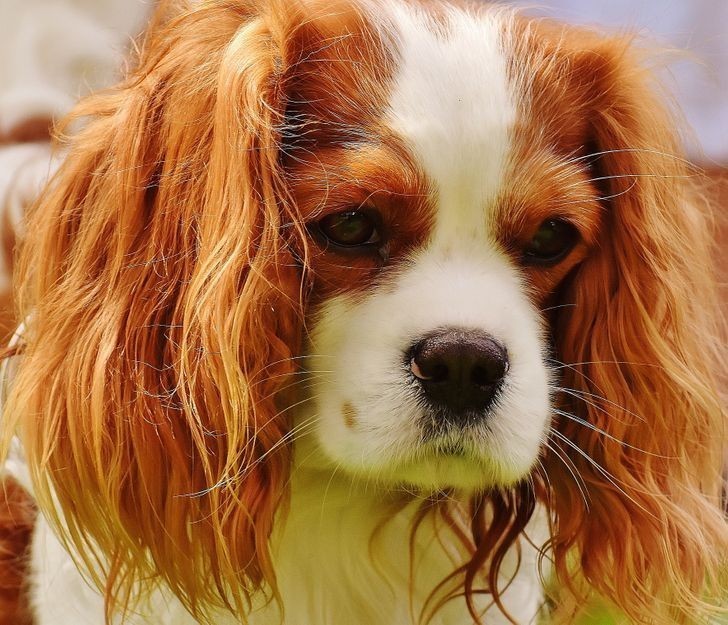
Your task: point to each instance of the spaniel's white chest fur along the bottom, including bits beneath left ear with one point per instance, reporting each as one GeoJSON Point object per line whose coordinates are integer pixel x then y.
{"type": "Point", "coordinates": [339, 558]}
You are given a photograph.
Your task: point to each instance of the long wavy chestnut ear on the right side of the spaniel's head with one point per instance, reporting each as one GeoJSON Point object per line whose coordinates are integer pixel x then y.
{"type": "Point", "coordinates": [641, 352]}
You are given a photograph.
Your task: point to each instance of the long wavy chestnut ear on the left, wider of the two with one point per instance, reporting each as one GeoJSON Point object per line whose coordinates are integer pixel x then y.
{"type": "Point", "coordinates": [164, 312]}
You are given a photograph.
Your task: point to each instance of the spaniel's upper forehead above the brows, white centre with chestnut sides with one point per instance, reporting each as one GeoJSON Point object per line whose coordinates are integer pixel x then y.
{"type": "Point", "coordinates": [468, 89]}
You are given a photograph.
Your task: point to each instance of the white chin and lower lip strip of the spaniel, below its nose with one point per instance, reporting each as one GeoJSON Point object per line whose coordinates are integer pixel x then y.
{"type": "Point", "coordinates": [469, 458]}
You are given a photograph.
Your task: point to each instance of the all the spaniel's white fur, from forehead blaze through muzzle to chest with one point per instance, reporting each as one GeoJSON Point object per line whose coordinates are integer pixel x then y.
{"type": "Point", "coordinates": [453, 106]}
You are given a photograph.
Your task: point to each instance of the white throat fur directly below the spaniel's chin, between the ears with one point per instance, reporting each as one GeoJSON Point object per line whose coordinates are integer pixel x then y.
{"type": "Point", "coordinates": [347, 551]}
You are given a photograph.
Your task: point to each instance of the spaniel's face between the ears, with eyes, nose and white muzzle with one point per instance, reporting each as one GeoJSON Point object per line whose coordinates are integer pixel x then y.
{"type": "Point", "coordinates": [438, 239]}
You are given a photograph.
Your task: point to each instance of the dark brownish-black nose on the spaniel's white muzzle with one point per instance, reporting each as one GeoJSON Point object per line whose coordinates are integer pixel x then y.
{"type": "Point", "coordinates": [459, 370]}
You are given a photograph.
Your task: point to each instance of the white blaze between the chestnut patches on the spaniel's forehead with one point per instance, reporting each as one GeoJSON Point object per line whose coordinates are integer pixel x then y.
{"type": "Point", "coordinates": [453, 106]}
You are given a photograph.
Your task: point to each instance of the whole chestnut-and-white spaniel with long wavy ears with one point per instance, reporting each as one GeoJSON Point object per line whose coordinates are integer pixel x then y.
{"type": "Point", "coordinates": [370, 312]}
